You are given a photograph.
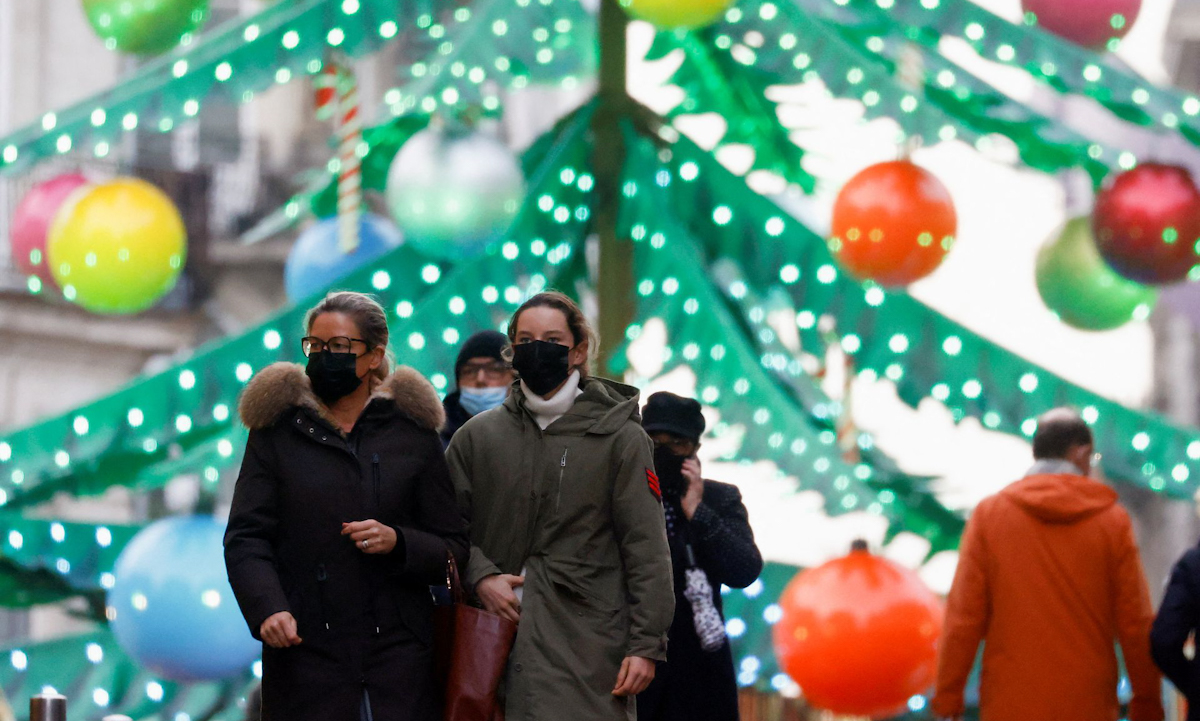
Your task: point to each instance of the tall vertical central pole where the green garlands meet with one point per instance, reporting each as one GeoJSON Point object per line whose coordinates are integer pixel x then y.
{"type": "Point", "coordinates": [616, 283]}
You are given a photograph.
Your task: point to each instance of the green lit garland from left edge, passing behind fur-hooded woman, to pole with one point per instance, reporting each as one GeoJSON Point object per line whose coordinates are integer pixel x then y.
{"type": "Point", "coordinates": [188, 412]}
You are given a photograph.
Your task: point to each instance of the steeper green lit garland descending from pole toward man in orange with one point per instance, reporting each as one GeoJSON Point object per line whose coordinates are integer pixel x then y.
{"type": "Point", "coordinates": [765, 398]}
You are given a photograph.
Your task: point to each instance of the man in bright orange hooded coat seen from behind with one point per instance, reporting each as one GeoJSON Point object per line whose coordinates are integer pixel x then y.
{"type": "Point", "coordinates": [1049, 579]}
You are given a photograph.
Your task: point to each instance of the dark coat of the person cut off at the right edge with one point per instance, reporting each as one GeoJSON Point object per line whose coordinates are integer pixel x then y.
{"type": "Point", "coordinates": [1178, 618]}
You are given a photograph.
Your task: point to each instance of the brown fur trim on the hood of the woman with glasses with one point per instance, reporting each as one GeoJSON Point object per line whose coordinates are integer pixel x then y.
{"type": "Point", "coordinates": [283, 387]}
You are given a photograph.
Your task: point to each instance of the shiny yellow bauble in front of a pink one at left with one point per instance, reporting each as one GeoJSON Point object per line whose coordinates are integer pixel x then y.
{"type": "Point", "coordinates": [117, 248]}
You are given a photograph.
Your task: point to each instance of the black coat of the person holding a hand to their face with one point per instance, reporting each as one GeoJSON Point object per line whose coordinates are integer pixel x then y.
{"type": "Point", "coordinates": [694, 684]}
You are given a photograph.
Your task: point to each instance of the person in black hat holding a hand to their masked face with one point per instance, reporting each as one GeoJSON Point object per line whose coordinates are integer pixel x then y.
{"type": "Point", "coordinates": [712, 545]}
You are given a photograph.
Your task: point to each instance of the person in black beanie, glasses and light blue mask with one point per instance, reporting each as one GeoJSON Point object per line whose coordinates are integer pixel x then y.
{"type": "Point", "coordinates": [483, 378]}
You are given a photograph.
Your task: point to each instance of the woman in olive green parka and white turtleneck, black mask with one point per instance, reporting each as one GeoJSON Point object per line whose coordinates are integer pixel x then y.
{"type": "Point", "coordinates": [567, 528]}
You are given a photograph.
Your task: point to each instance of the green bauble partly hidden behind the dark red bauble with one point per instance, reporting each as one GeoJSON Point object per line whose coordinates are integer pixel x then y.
{"type": "Point", "coordinates": [1082, 290]}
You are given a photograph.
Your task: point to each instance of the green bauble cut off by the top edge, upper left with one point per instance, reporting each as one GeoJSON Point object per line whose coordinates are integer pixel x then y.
{"type": "Point", "coordinates": [145, 27]}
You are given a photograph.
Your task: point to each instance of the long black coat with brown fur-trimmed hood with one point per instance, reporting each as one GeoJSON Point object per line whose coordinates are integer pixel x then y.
{"type": "Point", "coordinates": [365, 621]}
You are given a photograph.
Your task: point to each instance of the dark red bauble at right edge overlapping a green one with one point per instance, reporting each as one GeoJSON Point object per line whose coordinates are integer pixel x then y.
{"type": "Point", "coordinates": [1147, 224]}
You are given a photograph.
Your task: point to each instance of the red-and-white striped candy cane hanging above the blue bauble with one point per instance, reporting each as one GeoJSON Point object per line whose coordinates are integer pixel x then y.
{"type": "Point", "coordinates": [338, 95]}
